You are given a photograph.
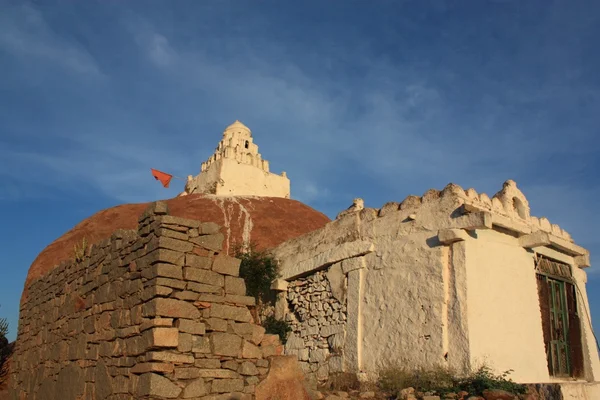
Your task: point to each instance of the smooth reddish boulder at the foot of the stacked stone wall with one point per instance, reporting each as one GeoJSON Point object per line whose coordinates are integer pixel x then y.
{"type": "Point", "coordinates": [285, 381]}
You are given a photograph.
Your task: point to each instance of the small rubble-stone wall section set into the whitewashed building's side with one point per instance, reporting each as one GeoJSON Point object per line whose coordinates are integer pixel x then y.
{"type": "Point", "coordinates": [318, 319]}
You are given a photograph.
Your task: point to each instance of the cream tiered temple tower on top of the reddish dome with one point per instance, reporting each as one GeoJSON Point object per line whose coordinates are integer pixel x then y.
{"type": "Point", "coordinates": [236, 168]}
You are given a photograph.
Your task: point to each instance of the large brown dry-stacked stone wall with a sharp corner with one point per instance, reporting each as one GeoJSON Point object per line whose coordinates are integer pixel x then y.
{"type": "Point", "coordinates": [157, 313]}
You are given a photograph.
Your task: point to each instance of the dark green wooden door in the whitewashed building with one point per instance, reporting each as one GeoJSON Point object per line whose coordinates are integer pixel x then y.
{"type": "Point", "coordinates": [561, 324]}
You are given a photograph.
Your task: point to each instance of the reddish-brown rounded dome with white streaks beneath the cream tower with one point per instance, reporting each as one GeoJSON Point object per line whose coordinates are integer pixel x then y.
{"type": "Point", "coordinates": [263, 221]}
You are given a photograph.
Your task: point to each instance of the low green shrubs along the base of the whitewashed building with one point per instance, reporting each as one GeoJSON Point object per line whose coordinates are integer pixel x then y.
{"type": "Point", "coordinates": [441, 380]}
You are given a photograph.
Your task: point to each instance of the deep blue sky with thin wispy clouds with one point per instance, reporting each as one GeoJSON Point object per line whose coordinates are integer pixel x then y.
{"type": "Point", "coordinates": [373, 99]}
